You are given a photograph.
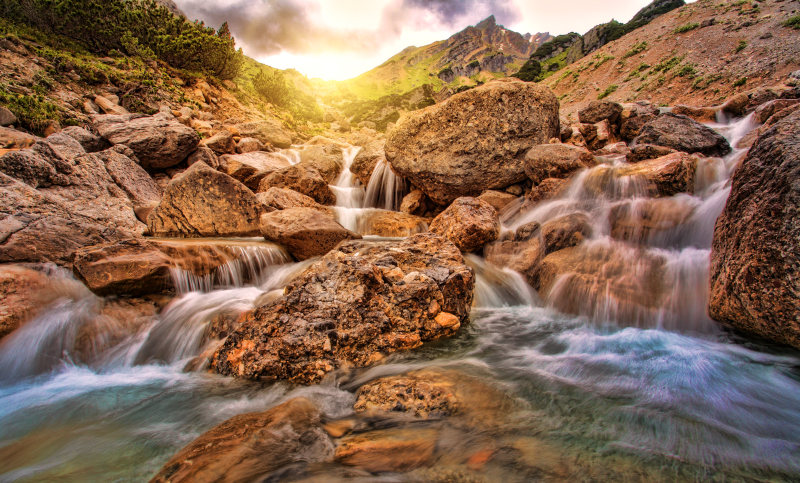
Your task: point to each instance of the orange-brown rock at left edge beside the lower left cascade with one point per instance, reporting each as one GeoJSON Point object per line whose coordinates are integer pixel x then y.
{"type": "Point", "coordinates": [20, 296]}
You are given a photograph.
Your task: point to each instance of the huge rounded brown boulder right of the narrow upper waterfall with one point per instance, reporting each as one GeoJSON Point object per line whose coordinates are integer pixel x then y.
{"type": "Point", "coordinates": [473, 141]}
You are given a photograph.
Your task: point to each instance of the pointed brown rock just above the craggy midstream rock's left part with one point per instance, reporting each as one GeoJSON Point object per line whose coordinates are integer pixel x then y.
{"type": "Point", "coordinates": [305, 232]}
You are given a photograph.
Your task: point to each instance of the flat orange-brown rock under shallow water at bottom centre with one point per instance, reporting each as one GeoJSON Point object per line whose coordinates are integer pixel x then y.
{"type": "Point", "coordinates": [389, 450]}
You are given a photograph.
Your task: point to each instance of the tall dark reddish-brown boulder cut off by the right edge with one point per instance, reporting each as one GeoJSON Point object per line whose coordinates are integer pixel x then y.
{"type": "Point", "coordinates": [755, 255]}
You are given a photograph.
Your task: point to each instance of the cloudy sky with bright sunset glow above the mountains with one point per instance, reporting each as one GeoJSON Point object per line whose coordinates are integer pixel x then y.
{"type": "Point", "coordinates": [340, 39]}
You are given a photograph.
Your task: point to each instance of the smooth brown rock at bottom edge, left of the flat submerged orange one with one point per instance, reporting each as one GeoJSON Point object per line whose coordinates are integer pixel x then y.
{"type": "Point", "coordinates": [250, 446]}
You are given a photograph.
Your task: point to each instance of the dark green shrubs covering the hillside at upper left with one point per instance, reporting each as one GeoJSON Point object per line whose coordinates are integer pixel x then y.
{"type": "Point", "coordinates": [140, 28]}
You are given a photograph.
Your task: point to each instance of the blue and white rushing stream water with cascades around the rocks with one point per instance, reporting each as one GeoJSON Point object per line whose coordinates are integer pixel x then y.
{"type": "Point", "coordinates": [662, 394]}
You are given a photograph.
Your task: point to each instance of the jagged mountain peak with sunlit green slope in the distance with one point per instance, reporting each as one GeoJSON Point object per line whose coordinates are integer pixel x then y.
{"type": "Point", "coordinates": [475, 54]}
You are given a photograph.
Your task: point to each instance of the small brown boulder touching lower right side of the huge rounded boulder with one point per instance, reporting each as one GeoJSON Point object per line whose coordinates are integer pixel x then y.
{"type": "Point", "coordinates": [555, 161]}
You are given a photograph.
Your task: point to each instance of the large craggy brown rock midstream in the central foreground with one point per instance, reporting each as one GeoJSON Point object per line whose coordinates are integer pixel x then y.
{"type": "Point", "coordinates": [357, 303]}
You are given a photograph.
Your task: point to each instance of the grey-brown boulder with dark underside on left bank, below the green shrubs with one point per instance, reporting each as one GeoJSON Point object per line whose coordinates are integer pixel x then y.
{"type": "Point", "coordinates": [158, 141]}
